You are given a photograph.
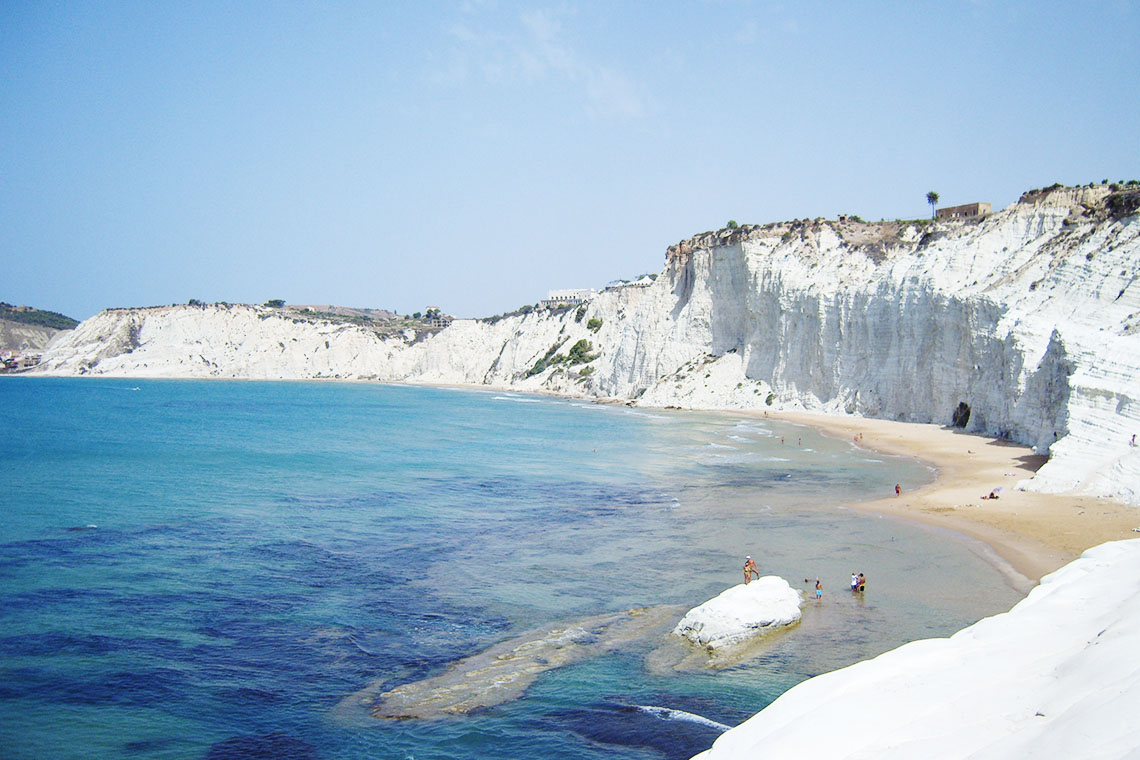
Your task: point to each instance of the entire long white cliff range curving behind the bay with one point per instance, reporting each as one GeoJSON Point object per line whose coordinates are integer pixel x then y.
{"type": "Point", "coordinates": [1028, 320]}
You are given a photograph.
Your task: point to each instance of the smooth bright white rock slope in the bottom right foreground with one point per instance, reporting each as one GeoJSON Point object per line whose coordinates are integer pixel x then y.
{"type": "Point", "coordinates": [1056, 677]}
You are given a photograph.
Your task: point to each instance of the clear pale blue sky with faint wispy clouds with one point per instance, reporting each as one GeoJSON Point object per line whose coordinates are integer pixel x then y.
{"type": "Point", "coordinates": [476, 154]}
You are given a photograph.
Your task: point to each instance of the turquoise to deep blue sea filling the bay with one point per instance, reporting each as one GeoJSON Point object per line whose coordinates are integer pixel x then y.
{"type": "Point", "coordinates": [211, 569]}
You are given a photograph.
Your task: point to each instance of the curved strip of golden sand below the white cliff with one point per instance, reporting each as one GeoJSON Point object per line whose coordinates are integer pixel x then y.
{"type": "Point", "coordinates": [1036, 534]}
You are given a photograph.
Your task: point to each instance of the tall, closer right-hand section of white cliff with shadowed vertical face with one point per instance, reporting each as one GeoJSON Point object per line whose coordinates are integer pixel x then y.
{"type": "Point", "coordinates": [1028, 317]}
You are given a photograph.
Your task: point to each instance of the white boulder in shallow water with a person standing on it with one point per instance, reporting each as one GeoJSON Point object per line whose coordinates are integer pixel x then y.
{"type": "Point", "coordinates": [742, 612]}
